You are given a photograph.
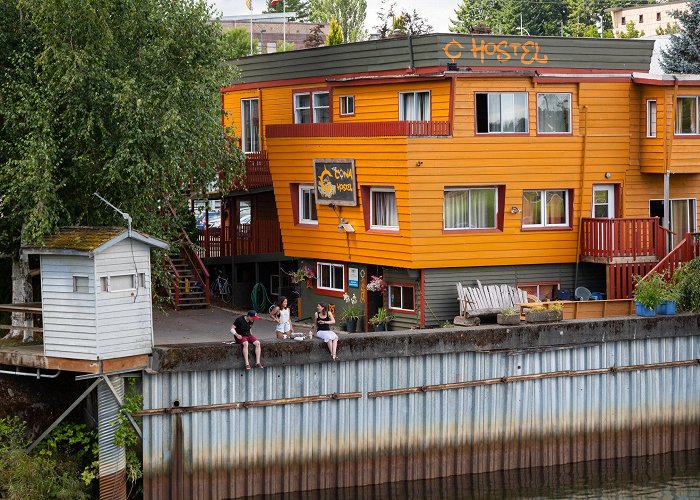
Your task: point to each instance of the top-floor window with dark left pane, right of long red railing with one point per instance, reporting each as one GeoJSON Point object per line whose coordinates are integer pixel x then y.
{"type": "Point", "coordinates": [501, 113]}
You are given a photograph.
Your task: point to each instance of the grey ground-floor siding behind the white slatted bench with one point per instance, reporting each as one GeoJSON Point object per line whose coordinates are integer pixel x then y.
{"type": "Point", "coordinates": [441, 293]}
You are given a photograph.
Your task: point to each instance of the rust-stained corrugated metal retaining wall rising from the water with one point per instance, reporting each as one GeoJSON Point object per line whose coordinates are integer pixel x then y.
{"type": "Point", "coordinates": [264, 450]}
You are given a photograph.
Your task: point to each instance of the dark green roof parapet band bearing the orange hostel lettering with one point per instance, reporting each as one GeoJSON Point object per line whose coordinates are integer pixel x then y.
{"type": "Point", "coordinates": [437, 50]}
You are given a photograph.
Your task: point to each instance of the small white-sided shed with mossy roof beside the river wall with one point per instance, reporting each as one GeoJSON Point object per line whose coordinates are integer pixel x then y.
{"type": "Point", "coordinates": [96, 292]}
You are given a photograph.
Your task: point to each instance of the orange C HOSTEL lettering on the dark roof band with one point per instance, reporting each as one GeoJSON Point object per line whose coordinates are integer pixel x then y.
{"type": "Point", "coordinates": [527, 52]}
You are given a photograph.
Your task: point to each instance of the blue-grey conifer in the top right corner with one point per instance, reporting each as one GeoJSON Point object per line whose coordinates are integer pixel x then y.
{"type": "Point", "coordinates": [683, 55]}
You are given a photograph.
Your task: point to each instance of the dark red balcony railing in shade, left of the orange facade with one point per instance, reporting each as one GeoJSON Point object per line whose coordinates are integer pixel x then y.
{"type": "Point", "coordinates": [259, 237]}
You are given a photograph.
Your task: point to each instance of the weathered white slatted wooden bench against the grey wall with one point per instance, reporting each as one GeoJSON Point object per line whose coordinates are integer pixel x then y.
{"type": "Point", "coordinates": [489, 300]}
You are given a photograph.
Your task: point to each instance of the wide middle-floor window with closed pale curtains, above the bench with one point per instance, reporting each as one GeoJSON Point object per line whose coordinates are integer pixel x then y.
{"type": "Point", "coordinates": [470, 208]}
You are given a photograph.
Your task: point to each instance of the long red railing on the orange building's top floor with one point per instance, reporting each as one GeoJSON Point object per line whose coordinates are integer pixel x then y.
{"type": "Point", "coordinates": [360, 129]}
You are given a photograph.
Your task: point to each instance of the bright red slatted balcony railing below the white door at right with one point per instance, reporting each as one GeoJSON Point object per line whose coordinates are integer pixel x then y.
{"type": "Point", "coordinates": [606, 239]}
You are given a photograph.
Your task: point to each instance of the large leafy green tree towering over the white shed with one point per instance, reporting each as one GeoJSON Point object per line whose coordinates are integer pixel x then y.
{"type": "Point", "coordinates": [113, 96]}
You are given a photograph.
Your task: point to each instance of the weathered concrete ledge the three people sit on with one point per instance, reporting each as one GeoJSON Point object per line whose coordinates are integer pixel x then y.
{"type": "Point", "coordinates": [486, 338]}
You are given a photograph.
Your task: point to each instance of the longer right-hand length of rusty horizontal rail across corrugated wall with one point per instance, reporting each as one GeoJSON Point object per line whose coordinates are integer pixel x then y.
{"type": "Point", "coordinates": [534, 376]}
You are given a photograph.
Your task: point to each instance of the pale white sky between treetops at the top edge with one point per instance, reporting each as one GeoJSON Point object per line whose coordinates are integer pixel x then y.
{"type": "Point", "coordinates": [437, 17]}
